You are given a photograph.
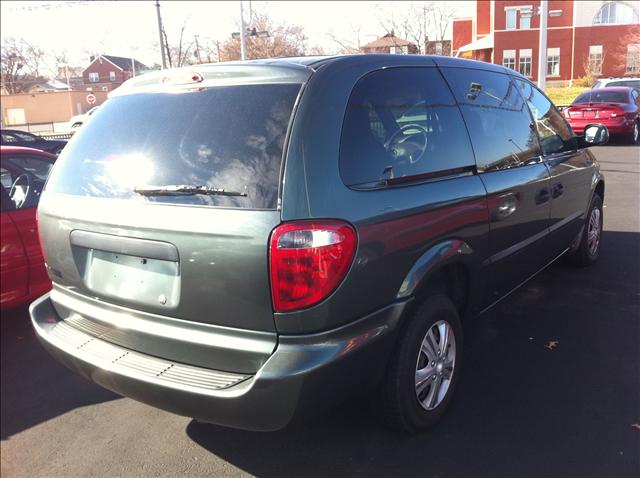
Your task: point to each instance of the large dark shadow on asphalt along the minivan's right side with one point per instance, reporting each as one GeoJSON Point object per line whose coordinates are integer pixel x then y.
{"type": "Point", "coordinates": [550, 387]}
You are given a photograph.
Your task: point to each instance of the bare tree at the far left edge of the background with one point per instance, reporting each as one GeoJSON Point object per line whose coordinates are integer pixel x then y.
{"type": "Point", "coordinates": [20, 65]}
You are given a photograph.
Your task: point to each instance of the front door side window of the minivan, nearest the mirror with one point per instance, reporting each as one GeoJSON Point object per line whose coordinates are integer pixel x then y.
{"type": "Point", "coordinates": [554, 132]}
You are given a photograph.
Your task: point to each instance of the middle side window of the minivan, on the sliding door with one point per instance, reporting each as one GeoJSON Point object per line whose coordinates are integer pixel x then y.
{"type": "Point", "coordinates": [499, 122]}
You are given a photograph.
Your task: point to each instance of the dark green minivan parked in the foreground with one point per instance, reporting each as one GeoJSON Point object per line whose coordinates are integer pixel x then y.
{"type": "Point", "coordinates": [284, 234]}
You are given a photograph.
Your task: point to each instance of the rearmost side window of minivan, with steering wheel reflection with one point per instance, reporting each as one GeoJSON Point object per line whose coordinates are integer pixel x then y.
{"type": "Point", "coordinates": [402, 124]}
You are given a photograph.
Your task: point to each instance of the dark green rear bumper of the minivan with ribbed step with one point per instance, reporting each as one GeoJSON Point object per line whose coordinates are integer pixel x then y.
{"type": "Point", "coordinates": [304, 373]}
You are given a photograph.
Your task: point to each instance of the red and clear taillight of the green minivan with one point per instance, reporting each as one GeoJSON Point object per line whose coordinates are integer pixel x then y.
{"type": "Point", "coordinates": [308, 260]}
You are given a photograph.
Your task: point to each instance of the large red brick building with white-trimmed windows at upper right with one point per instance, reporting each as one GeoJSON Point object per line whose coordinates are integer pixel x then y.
{"type": "Point", "coordinates": [597, 37]}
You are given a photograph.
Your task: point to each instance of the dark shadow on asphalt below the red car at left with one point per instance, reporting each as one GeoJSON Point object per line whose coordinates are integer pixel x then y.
{"type": "Point", "coordinates": [35, 387]}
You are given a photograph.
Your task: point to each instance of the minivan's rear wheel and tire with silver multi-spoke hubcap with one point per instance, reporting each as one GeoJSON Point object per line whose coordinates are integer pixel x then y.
{"type": "Point", "coordinates": [421, 377]}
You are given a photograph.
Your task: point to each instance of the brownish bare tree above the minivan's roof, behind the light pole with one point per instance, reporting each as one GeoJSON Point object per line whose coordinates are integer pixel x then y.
{"type": "Point", "coordinates": [283, 40]}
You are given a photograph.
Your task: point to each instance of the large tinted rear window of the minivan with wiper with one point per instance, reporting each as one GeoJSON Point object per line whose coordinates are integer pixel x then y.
{"type": "Point", "coordinates": [225, 137]}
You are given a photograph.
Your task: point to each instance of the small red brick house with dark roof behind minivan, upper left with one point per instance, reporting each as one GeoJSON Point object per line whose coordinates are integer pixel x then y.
{"type": "Point", "coordinates": [107, 72]}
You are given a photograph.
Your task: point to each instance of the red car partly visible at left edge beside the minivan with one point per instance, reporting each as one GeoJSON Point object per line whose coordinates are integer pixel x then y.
{"type": "Point", "coordinates": [23, 172]}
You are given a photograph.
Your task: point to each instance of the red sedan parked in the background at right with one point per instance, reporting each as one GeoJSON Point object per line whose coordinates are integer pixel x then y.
{"type": "Point", "coordinates": [616, 107]}
